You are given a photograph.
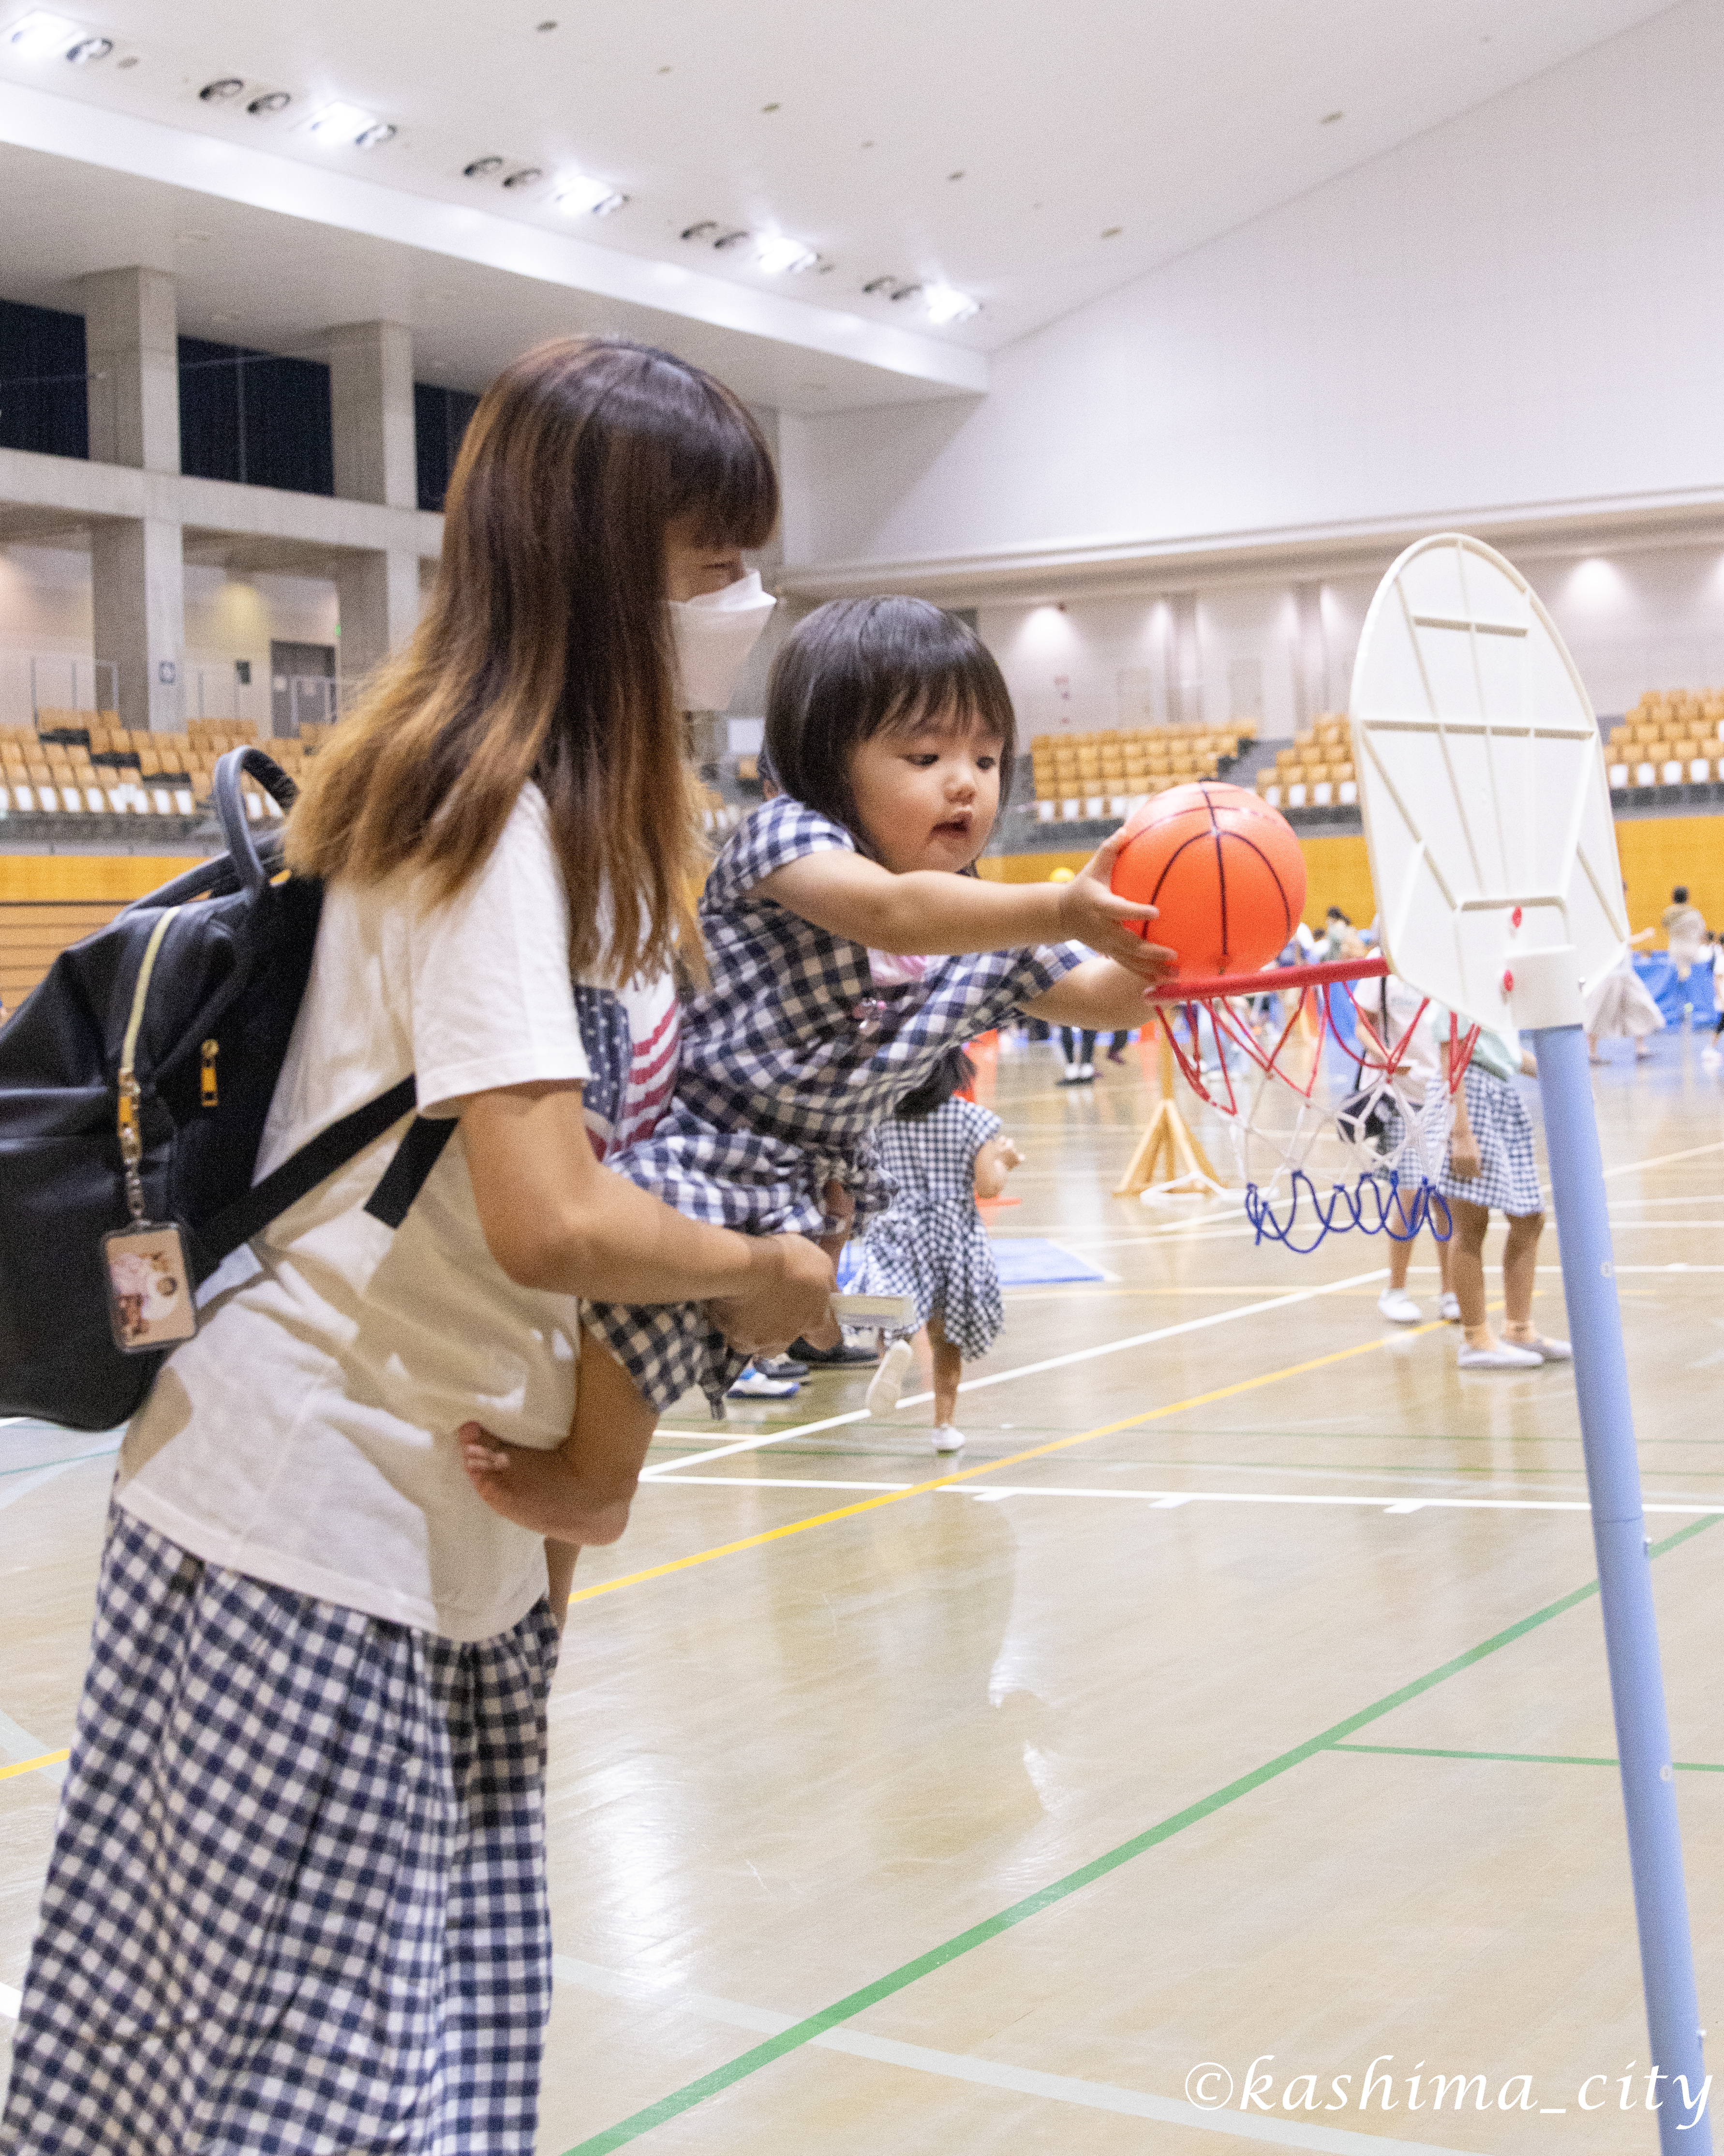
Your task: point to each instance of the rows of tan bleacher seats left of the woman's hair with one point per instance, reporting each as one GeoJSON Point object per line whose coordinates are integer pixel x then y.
{"type": "Point", "coordinates": [87, 764]}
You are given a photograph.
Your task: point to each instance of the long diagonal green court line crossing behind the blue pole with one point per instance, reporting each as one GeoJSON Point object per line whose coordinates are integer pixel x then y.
{"type": "Point", "coordinates": [979, 1935]}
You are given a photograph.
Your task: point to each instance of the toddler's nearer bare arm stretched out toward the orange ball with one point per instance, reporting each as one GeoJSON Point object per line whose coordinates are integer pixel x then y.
{"type": "Point", "coordinates": [939, 915]}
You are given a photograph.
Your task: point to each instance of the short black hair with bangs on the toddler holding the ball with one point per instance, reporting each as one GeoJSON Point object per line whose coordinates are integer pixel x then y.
{"type": "Point", "coordinates": [865, 667]}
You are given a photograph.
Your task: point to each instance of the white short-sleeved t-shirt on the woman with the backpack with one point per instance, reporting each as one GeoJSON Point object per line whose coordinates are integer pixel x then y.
{"type": "Point", "coordinates": [307, 1435]}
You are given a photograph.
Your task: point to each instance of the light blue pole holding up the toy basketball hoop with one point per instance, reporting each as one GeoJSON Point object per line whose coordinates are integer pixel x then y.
{"type": "Point", "coordinates": [1626, 1590]}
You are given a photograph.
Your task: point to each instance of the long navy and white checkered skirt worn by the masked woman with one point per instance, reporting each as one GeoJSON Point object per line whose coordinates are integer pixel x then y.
{"type": "Point", "coordinates": [298, 1885]}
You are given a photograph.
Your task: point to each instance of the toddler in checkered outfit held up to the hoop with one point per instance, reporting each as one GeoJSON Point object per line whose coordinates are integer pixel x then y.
{"type": "Point", "coordinates": [850, 950]}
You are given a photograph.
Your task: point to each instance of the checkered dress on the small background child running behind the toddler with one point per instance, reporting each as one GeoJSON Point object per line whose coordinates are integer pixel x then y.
{"type": "Point", "coordinates": [932, 1245]}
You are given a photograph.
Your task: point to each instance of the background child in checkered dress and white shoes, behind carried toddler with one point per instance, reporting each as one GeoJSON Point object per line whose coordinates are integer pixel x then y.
{"type": "Point", "coordinates": [943, 1155]}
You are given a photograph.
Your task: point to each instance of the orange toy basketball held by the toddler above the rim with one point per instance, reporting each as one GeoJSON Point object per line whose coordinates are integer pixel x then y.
{"type": "Point", "coordinates": [1225, 870]}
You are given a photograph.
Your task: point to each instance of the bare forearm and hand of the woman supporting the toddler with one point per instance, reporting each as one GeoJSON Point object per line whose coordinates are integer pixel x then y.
{"type": "Point", "coordinates": [559, 1221]}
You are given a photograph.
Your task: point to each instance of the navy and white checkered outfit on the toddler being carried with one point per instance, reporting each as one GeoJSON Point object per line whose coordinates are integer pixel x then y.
{"type": "Point", "coordinates": [792, 1060]}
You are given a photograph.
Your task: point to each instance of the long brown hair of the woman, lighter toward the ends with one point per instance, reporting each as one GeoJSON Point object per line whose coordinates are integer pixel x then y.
{"type": "Point", "coordinates": [546, 652]}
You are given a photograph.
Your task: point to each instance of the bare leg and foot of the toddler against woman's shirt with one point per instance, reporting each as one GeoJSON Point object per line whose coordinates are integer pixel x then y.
{"type": "Point", "coordinates": [583, 1489]}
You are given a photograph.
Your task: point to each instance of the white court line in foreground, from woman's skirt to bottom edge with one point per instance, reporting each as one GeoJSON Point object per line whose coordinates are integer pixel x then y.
{"type": "Point", "coordinates": [990, 2073]}
